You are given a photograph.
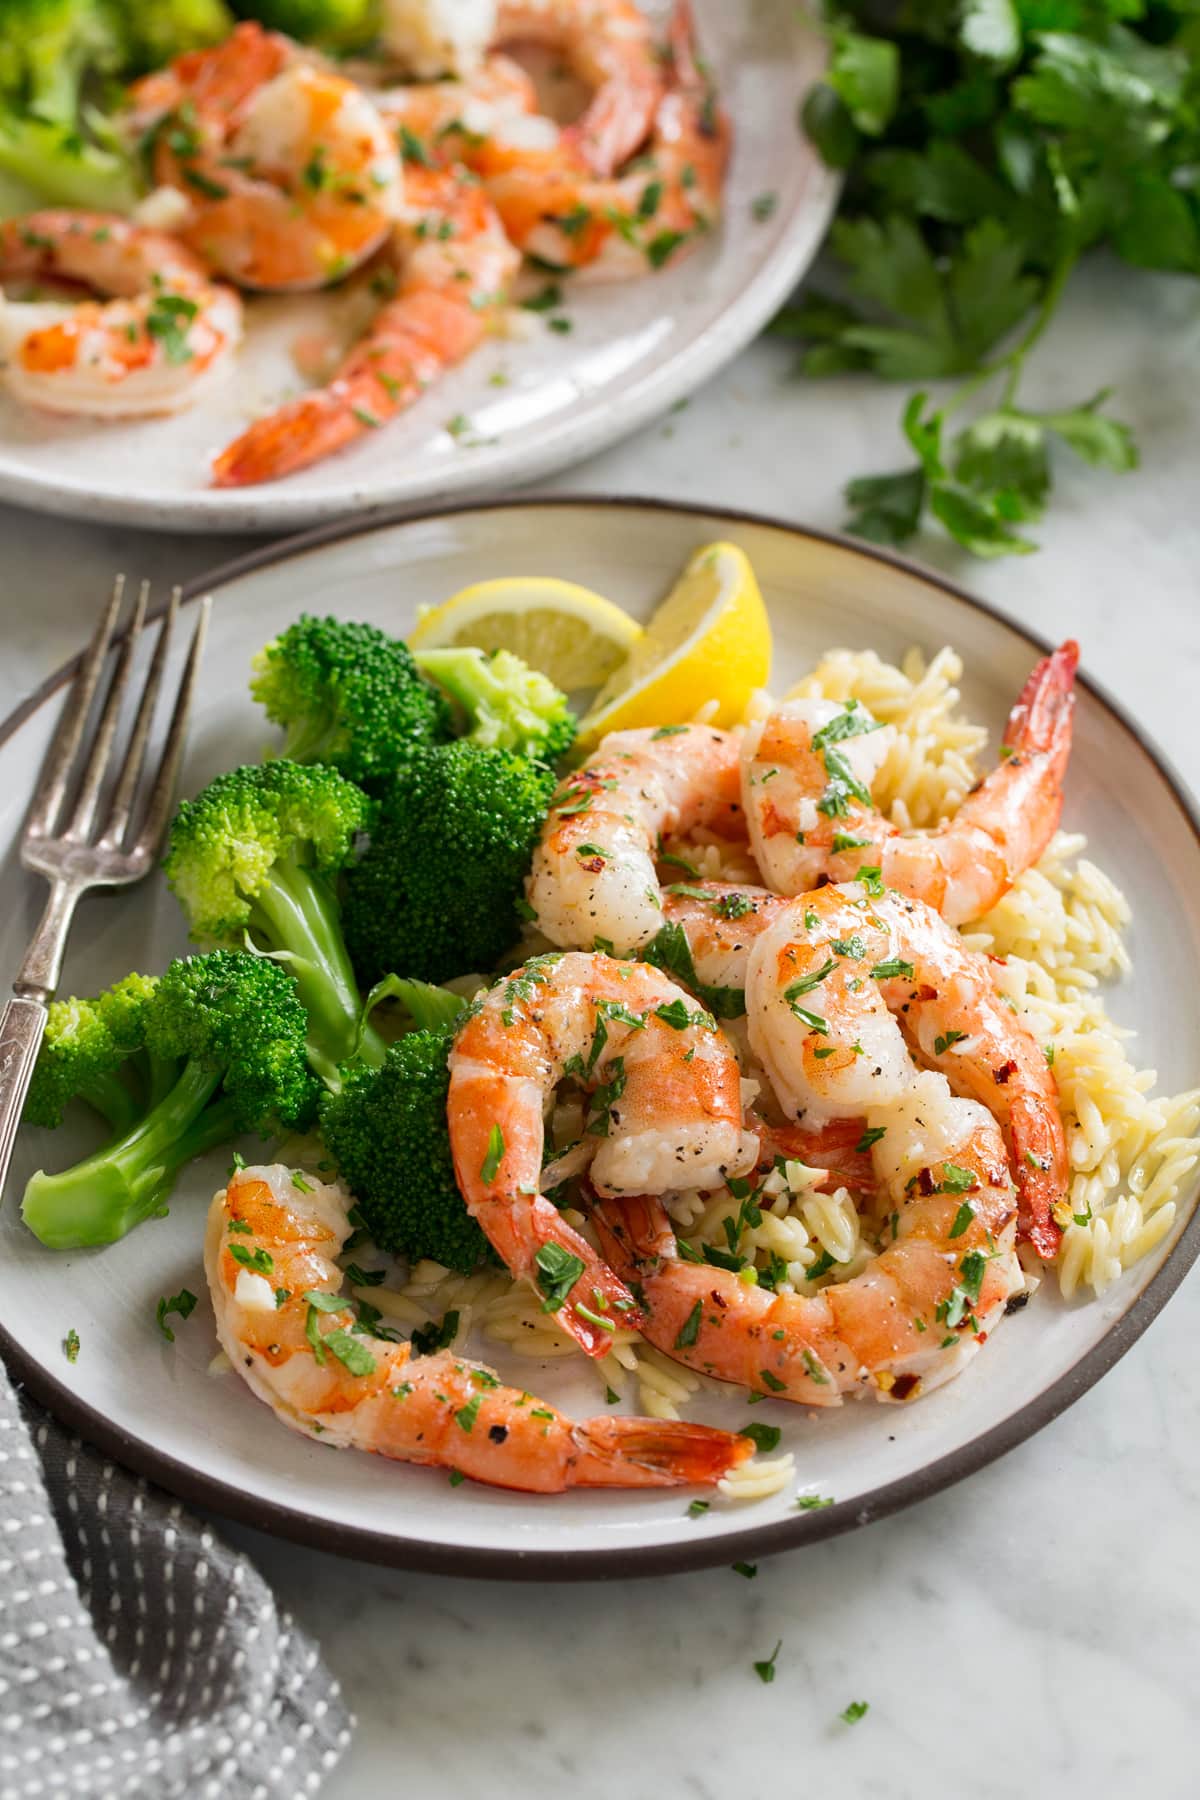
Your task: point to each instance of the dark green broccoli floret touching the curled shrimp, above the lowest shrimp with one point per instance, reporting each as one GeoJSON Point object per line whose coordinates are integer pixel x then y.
{"type": "Point", "coordinates": [388, 1135]}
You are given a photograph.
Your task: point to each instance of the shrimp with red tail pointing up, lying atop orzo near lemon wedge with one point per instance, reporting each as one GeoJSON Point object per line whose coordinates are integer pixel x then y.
{"type": "Point", "coordinates": [807, 777]}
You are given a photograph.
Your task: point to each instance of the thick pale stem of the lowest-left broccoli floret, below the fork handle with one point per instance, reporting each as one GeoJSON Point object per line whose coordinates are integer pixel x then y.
{"type": "Point", "coordinates": [129, 1180]}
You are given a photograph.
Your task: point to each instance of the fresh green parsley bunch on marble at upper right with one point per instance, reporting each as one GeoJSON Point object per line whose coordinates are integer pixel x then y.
{"type": "Point", "coordinates": [989, 147]}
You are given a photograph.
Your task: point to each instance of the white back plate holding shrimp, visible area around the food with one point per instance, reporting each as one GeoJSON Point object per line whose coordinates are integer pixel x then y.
{"type": "Point", "coordinates": [634, 350]}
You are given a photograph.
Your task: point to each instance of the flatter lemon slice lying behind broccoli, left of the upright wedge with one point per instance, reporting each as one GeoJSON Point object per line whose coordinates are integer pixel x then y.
{"type": "Point", "coordinates": [566, 631]}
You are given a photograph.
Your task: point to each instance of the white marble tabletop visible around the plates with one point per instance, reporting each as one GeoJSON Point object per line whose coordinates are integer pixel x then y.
{"type": "Point", "coordinates": [1035, 1630]}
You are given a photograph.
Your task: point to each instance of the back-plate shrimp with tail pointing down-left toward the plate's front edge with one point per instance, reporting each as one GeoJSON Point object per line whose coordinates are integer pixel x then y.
{"type": "Point", "coordinates": [456, 267]}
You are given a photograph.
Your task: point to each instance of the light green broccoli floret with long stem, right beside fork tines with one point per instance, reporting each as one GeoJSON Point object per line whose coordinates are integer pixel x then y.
{"type": "Point", "coordinates": [256, 856]}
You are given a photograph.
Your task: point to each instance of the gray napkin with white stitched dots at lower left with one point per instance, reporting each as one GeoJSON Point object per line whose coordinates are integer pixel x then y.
{"type": "Point", "coordinates": [139, 1655]}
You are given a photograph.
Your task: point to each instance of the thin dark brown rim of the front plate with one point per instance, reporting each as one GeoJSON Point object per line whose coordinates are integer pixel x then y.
{"type": "Point", "coordinates": [654, 1560]}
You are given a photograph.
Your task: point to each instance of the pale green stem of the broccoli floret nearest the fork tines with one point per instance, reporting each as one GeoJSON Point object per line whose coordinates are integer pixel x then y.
{"type": "Point", "coordinates": [298, 913]}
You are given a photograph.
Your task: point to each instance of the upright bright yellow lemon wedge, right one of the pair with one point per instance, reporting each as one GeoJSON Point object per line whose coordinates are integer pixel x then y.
{"type": "Point", "coordinates": [710, 640]}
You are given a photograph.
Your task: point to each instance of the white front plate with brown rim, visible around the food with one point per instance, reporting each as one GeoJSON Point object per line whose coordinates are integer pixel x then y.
{"type": "Point", "coordinates": [156, 1407]}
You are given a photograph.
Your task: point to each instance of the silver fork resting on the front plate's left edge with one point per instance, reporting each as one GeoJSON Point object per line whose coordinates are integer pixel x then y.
{"type": "Point", "coordinates": [71, 843]}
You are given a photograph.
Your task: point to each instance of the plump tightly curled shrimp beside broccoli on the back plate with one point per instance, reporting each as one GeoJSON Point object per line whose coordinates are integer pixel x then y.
{"type": "Point", "coordinates": [291, 175]}
